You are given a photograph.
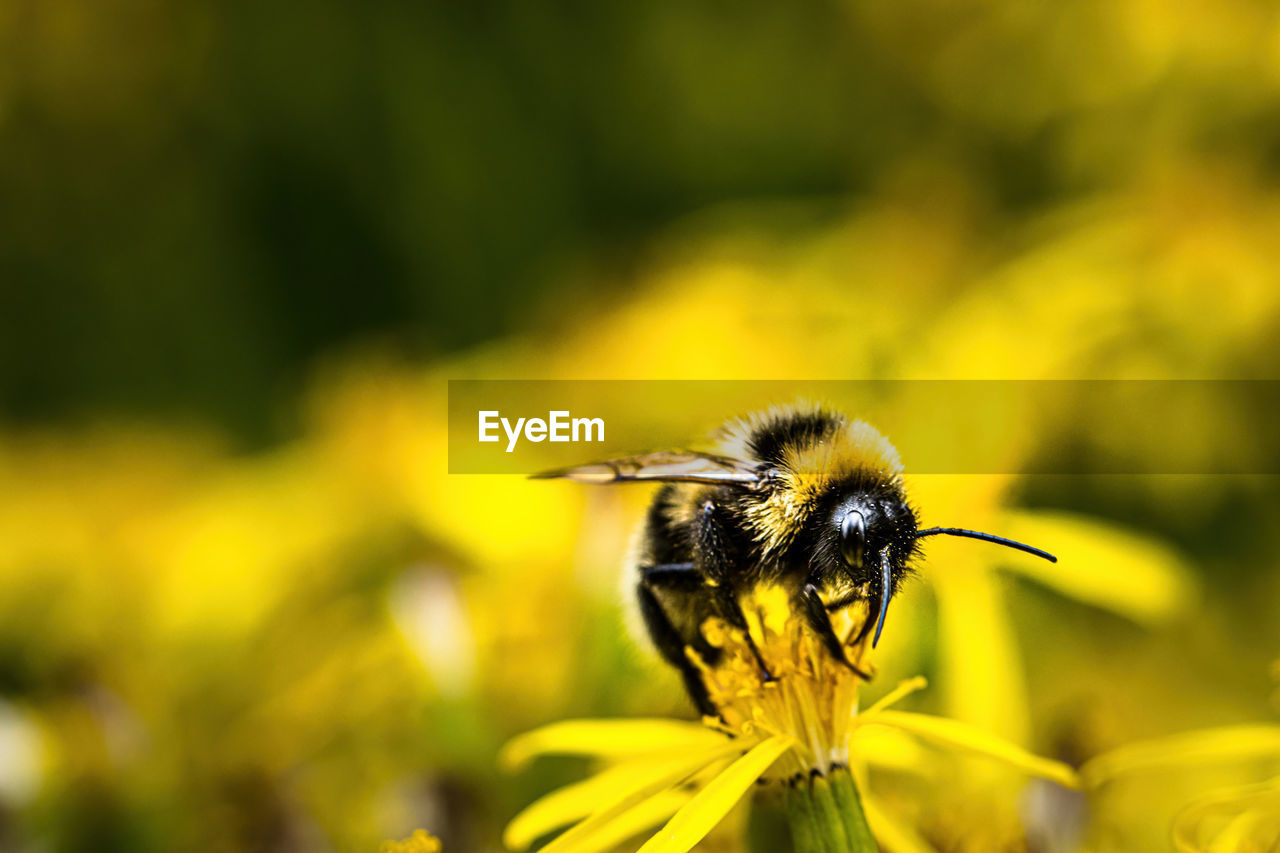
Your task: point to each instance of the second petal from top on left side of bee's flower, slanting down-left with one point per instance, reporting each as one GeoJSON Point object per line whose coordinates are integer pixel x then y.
{"type": "Point", "coordinates": [604, 791]}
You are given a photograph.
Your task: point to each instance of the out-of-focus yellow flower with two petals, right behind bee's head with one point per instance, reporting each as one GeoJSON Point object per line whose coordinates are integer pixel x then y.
{"type": "Point", "coordinates": [1100, 564]}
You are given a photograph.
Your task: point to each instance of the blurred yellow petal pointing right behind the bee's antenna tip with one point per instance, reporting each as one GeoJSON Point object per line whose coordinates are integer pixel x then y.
{"type": "Point", "coordinates": [1103, 565]}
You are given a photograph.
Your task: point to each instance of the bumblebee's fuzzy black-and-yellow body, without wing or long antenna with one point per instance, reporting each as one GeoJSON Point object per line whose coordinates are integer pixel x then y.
{"type": "Point", "coordinates": [705, 546]}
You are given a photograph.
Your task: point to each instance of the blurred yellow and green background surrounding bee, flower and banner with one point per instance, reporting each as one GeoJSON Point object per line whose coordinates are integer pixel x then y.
{"type": "Point", "coordinates": [245, 245]}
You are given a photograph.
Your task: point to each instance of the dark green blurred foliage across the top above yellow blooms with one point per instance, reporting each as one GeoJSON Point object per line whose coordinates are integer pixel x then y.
{"type": "Point", "coordinates": [202, 198]}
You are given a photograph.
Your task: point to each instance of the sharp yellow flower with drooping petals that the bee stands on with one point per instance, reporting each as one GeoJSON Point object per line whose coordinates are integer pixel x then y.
{"type": "Point", "coordinates": [799, 727]}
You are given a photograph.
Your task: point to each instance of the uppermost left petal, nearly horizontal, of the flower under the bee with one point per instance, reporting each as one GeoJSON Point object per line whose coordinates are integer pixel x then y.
{"type": "Point", "coordinates": [606, 740]}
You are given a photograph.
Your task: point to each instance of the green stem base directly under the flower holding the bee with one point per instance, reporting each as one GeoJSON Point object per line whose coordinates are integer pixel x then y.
{"type": "Point", "coordinates": [826, 816]}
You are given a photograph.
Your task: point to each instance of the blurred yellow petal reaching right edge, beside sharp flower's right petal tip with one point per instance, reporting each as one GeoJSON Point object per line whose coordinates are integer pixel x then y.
{"type": "Point", "coordinates": [1187, 750]}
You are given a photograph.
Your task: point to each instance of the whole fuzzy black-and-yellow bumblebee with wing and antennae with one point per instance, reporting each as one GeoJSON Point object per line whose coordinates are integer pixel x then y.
{"type": "Point", "coordinates": [799, 498]}
